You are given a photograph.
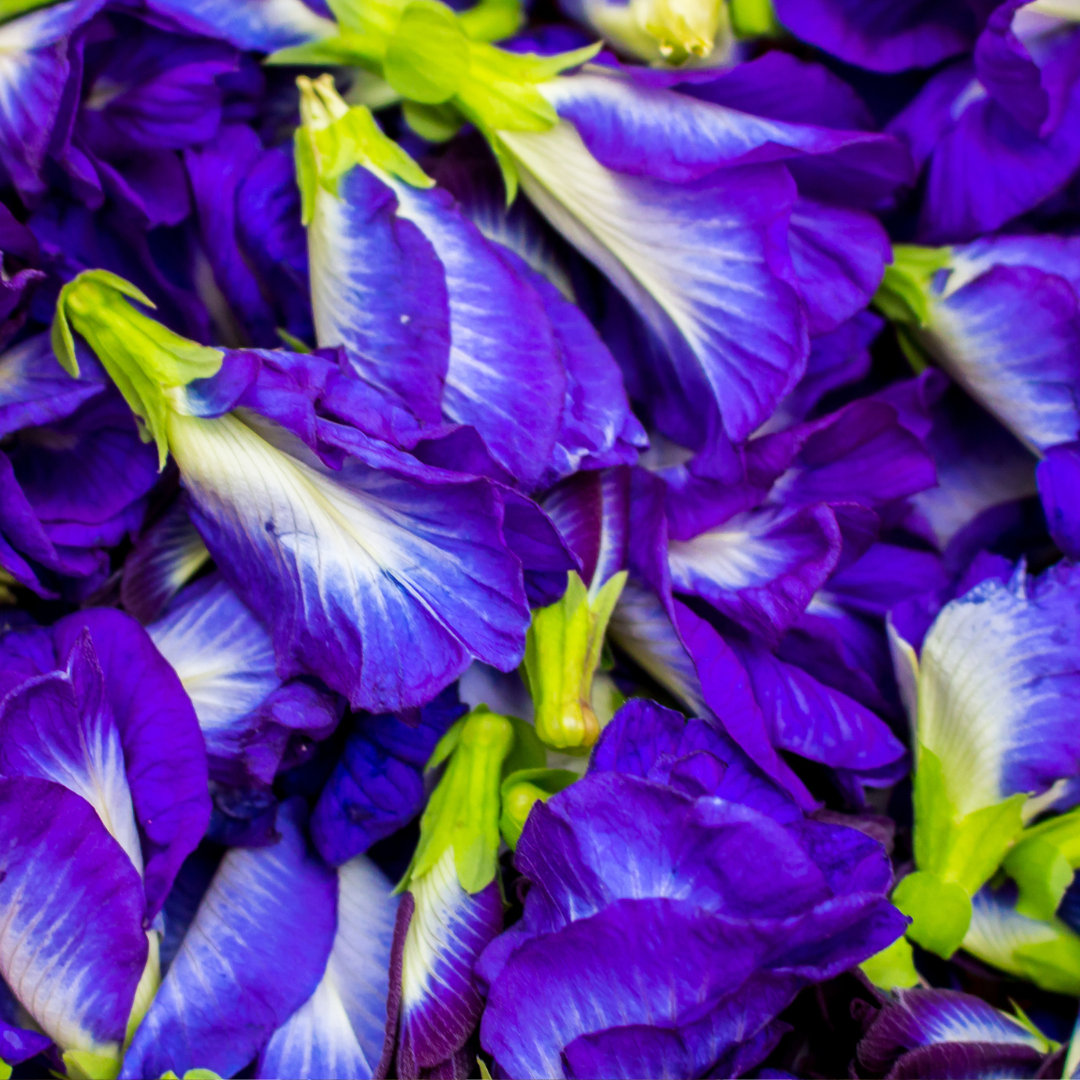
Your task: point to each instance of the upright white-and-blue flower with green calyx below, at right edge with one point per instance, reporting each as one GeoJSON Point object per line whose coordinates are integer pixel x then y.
{"type": "Point", "coordinates": [989, 695]}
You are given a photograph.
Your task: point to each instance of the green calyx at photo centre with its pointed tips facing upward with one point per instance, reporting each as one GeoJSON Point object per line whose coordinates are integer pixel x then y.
{"type": "Point", "coordinates": [562, 655]}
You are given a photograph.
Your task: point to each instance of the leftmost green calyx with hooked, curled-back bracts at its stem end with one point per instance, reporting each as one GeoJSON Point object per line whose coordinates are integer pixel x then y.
{"type": "Point", "coordinates": [148, 363]}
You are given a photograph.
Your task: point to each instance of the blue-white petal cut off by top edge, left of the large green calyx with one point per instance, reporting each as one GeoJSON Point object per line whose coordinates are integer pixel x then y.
{"type": "Point", "coordinates": [263, 26]}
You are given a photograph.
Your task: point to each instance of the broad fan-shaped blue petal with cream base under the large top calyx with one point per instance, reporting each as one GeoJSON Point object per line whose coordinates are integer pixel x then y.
{"type": "Point", "coordinates": [706, 265]}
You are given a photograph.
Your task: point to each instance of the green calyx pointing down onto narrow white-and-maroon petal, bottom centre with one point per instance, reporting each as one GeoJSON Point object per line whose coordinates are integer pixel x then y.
{"type": "Point", "coordinates": [463, 813]}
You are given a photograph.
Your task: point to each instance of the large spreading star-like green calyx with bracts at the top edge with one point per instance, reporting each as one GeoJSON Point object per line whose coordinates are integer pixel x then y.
{"type": "Point", "coordinates": [439, 60]}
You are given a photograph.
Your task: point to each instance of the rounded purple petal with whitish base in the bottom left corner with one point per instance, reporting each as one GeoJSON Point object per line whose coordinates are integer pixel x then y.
{"type": "Point", "coordinates": [73, 948]}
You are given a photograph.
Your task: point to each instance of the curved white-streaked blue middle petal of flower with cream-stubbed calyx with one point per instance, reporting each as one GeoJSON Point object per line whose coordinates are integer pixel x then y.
{"type": "Point", "coordinates": [505, 375]}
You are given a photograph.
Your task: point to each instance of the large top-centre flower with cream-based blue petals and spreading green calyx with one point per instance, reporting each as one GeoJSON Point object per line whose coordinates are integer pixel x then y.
{"type": "Point", "coordinates": [596, 152]}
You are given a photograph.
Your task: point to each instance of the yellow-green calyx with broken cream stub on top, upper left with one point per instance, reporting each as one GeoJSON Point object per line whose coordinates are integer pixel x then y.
{"type": "Point", "coordinates": [334, 139]}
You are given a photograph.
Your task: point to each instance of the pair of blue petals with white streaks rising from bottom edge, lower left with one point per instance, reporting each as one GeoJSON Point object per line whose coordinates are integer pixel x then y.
{"type": "Point", "coordinates": [283, 961]}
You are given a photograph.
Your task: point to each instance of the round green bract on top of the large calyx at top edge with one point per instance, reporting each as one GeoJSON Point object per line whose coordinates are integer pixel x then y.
{"type": "Point", "coordinates": [428, 57]}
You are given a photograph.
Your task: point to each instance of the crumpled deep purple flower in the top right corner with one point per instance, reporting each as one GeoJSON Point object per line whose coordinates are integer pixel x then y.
{"type": "Point", "coordinates": [996, 134]}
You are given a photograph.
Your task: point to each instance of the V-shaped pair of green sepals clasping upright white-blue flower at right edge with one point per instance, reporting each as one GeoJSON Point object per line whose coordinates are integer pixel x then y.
{"type": "Point", "coordinates": [965, 850]}
